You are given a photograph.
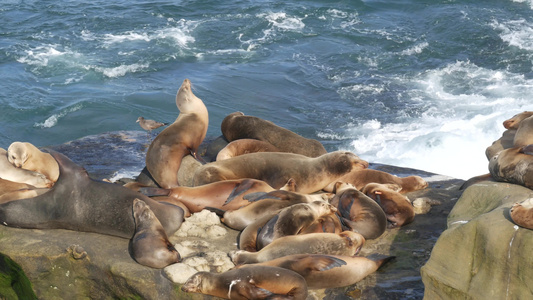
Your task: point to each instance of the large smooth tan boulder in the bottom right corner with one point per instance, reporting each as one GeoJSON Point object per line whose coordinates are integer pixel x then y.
{"type": "Point", "coordinates": [482, 254]}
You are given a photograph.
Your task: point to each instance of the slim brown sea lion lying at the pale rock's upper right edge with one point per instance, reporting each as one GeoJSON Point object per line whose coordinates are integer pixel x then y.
{"type": "Point", "coordinates": [266, 203]}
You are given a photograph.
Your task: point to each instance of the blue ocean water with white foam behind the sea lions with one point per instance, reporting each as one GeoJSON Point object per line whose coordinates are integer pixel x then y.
{"type": "Point", "coordinates": [419, 84]}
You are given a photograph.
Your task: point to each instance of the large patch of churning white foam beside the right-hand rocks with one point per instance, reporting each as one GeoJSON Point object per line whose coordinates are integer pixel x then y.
{"type": "Point", "coordinates": [464, 107]}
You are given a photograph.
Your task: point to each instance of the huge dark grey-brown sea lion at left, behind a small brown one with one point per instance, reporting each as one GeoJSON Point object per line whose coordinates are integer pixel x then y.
{"type": "Point", "coordinates": [77, 202]}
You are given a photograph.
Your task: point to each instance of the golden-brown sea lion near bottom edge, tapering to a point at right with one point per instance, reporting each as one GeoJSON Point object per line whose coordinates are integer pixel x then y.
{"type": "Point", "coordinates": [327, 271]}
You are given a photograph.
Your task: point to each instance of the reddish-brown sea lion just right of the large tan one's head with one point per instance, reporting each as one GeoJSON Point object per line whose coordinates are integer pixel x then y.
{"type": "Point", "coordinates": [360, 178]}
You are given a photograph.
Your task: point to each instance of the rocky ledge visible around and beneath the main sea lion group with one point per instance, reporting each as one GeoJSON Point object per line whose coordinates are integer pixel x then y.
{"type": "Point", "coordinates": [60, 264]}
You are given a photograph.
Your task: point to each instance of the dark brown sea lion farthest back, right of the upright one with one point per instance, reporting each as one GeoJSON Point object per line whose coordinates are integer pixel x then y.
{"type": "Point", "coordinates": [238, 126]}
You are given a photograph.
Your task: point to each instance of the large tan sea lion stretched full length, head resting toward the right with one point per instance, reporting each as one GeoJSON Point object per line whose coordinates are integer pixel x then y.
{"type": "Point", "coordinates": [276, 168]}
